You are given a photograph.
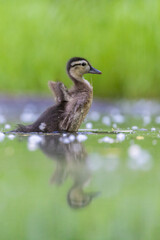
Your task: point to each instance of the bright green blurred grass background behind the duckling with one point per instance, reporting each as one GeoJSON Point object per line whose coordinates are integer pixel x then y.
{"type": "Point", "coordinates": [119, 37]}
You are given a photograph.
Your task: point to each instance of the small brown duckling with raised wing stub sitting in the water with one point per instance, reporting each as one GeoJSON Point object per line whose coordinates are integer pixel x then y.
{"type": "Point", "coordinates": [72, 105]}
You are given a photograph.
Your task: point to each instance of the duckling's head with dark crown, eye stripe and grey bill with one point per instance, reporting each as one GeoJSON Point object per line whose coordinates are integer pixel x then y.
{"type": "Point", "coordinates": [77, 67]}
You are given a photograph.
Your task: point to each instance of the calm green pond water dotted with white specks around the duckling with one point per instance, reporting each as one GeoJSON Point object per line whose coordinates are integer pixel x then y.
{"type": "Point", "coordinates": [101, 183]}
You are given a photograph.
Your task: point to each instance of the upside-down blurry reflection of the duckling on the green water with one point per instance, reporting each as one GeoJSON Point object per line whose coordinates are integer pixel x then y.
{"type": "Point", "coordinates": [71, 160]}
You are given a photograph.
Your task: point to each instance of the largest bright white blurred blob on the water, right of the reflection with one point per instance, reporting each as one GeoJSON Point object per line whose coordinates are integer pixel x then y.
{"type": "Point", "coordinates": [139, 159]}
